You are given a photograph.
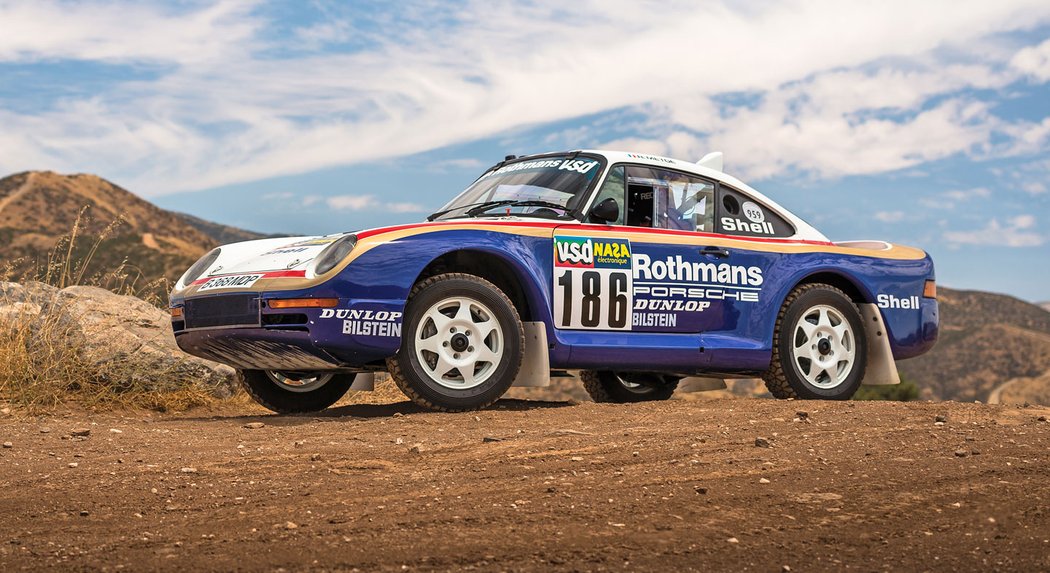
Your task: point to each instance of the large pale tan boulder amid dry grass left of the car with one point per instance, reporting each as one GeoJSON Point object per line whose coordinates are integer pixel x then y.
{"type": "Point", "coordinates": [120, 337]}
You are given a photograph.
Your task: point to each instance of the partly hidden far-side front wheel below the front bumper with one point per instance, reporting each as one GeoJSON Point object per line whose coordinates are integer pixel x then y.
{"type": "Point", "coordinates": [293, 392]}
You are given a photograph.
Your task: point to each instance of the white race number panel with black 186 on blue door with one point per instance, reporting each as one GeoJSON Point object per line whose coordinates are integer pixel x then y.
{"type": "Point", "coordinates": [593, 299]}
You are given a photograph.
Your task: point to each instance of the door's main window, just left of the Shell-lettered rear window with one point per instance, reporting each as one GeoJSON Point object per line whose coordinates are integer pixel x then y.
{"type": "Point", "coordinates": [668, 200]}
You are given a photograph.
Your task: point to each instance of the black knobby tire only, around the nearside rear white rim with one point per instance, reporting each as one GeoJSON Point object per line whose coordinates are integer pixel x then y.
{"type": "Point", "coordinates": [783, 379]}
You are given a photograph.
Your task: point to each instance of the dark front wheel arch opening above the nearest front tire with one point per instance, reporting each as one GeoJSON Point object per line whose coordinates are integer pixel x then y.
{"type": "Point", "coordinates": [494, 268]}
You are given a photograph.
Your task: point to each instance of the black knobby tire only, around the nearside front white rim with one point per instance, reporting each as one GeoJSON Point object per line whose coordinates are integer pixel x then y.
{"type": "Point", "coordinates": [407, 372]}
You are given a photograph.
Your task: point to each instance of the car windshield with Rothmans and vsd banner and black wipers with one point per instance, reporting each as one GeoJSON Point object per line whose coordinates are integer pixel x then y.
{"type": "Point", "coordinates": [548, 187]}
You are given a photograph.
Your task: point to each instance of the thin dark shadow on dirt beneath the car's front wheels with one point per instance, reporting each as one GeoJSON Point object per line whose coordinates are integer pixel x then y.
{"type": "Point", "coordinates": [370, 412]}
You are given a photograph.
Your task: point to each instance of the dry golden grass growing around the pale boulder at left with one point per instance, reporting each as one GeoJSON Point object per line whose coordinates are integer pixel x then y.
{"type": "Point", "coordinates": [46, 360]}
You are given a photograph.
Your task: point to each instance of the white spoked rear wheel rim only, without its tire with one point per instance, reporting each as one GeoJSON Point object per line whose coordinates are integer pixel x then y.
{"type": "Point", "coordinates": [825, 347]}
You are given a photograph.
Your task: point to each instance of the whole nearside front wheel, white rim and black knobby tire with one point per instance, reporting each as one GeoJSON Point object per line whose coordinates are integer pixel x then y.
{"type": "Point", "coordinates": [463, 344]}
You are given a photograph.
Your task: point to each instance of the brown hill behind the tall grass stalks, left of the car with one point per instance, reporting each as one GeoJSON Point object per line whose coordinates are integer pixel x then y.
{"type": "Point", "coordinates": [37, 209]}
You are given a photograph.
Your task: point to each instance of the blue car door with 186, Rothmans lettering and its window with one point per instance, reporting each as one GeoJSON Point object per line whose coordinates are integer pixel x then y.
{"type": "Point", "coordinates": [659, 268]}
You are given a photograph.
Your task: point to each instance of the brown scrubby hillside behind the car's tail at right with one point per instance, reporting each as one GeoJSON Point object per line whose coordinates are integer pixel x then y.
{"type": "Point", "coordinates": [986, 341]}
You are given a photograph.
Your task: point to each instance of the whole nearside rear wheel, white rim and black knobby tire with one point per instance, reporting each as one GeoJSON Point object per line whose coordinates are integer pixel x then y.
{"type": "Point", "coordinates": [820, 347]}
